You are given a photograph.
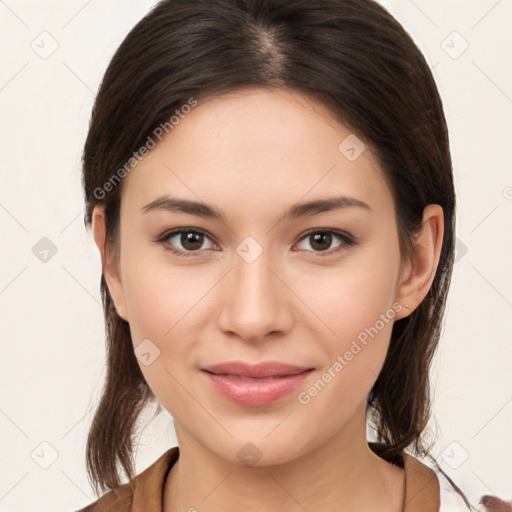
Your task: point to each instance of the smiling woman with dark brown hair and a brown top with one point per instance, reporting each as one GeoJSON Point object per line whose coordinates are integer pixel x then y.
{"type": "Point", "coordinates": [270, 187]}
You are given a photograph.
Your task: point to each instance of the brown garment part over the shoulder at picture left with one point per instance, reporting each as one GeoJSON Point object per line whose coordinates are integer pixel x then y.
{"type": "Point", "coordinates": [144, 489]}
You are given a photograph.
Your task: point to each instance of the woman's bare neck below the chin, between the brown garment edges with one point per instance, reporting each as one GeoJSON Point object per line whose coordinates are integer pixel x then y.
{"type": "Point", "coordinates": [341, 474]}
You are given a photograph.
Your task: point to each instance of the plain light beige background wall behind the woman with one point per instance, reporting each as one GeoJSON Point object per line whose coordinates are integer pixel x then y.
{"type": "Point", "coordinates": [51, 322]}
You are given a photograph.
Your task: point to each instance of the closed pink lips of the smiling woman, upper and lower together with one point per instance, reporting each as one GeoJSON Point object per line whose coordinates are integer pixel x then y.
{"type": "Point", "coordinates": [255, 385]}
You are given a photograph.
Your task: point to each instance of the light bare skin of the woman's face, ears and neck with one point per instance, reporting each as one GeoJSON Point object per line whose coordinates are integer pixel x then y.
{"type": "Point", "coordinates": [254, 154]}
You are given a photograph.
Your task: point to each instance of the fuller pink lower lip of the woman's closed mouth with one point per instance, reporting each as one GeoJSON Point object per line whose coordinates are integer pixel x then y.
{"type": "Point", "coordinates": [256, 392]}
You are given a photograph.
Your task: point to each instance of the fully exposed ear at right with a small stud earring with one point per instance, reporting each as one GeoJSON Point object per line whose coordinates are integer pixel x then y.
{"type": "Point", "coordinates": [420, 270]}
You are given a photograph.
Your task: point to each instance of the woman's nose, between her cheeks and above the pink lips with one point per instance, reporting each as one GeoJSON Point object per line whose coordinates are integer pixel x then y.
{"type": "Point", "coordinates": [254, 300]}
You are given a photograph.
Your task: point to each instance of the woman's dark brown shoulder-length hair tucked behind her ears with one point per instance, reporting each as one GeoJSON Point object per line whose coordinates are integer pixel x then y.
{"type": "Point", "coordinates": [352, 56]}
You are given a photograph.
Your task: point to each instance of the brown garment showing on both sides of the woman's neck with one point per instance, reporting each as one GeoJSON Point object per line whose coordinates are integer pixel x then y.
{"type": "Point", "coordinates": [421, 487]}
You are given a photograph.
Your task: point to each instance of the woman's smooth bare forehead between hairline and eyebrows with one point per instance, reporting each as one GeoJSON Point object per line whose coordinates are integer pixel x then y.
{"type": "Point", "coordinates": [255, 148]}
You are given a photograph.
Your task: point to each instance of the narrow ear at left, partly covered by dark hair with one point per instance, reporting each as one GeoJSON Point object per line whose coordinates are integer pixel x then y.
{"type": "Point", "coordinates": [109, 260]}
